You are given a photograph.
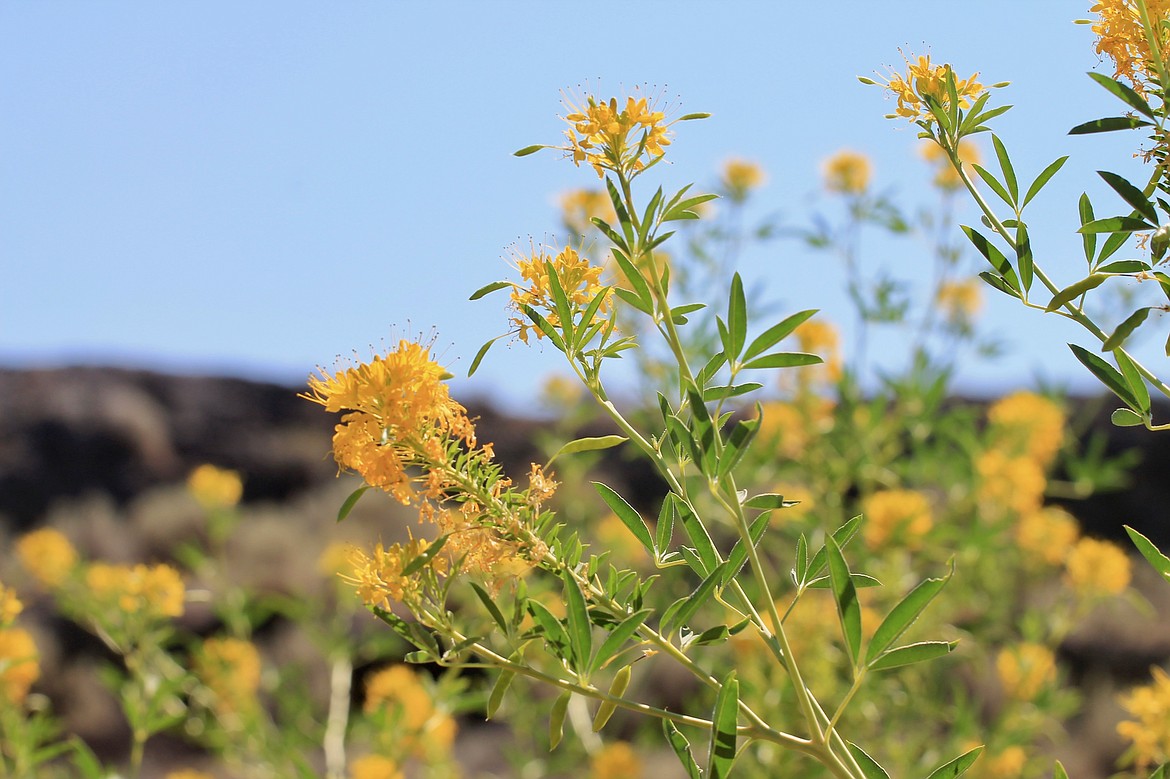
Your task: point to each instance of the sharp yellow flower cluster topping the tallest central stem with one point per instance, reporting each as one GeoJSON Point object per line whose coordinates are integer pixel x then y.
{"type": "Point", "coordinates": [615, 139]}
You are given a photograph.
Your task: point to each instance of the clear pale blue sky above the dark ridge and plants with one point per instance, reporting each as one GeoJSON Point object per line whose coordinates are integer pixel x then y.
{"type": "Point", "coordinates": [253, 189]}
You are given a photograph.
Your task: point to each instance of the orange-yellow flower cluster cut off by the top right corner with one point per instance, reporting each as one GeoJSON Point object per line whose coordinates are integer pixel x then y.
{"type": "Point", "coordinates": [1123, 39]}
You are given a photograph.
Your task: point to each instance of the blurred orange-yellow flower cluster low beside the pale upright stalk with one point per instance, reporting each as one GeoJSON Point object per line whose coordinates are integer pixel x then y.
{"type": "Point", "coordinates": [419, 728]}
